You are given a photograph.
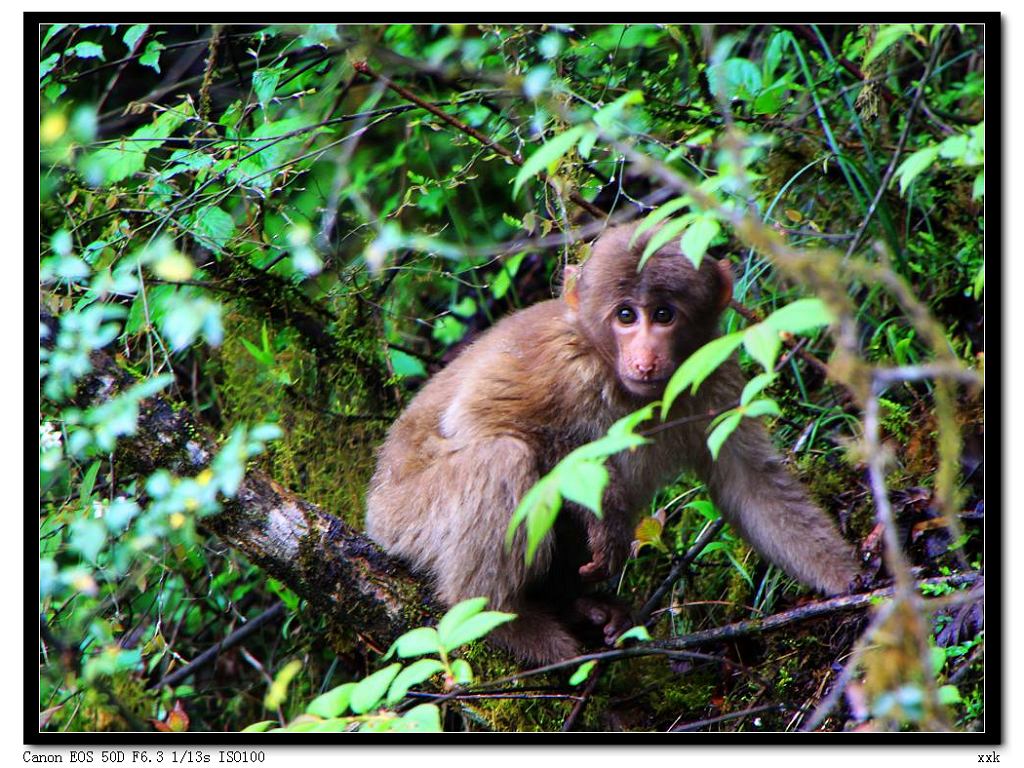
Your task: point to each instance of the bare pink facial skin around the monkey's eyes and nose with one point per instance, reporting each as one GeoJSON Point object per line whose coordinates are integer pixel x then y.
{"type": "Point", "coordinates": [646, 337]}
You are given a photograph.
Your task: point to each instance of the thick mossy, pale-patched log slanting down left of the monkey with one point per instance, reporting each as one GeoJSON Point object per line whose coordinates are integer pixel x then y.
{"type": "Point", "coordinates": [344, 575]}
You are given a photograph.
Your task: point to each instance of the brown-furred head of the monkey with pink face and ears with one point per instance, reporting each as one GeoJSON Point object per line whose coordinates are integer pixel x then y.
{"type": "Point", "coordinates": [646, 323]}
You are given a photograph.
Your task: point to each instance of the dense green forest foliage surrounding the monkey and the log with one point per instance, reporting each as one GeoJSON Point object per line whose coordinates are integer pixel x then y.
{"type": "Point", "coordinates": [285, 230]}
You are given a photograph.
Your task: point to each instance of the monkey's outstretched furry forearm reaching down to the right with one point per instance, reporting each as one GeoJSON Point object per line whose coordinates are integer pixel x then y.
{"type": "Point", "coordinates": [773, 510]}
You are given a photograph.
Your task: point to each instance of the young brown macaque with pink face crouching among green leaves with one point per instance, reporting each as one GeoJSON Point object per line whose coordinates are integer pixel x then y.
{"type": "Point", "coordinates": [538, 386]}
